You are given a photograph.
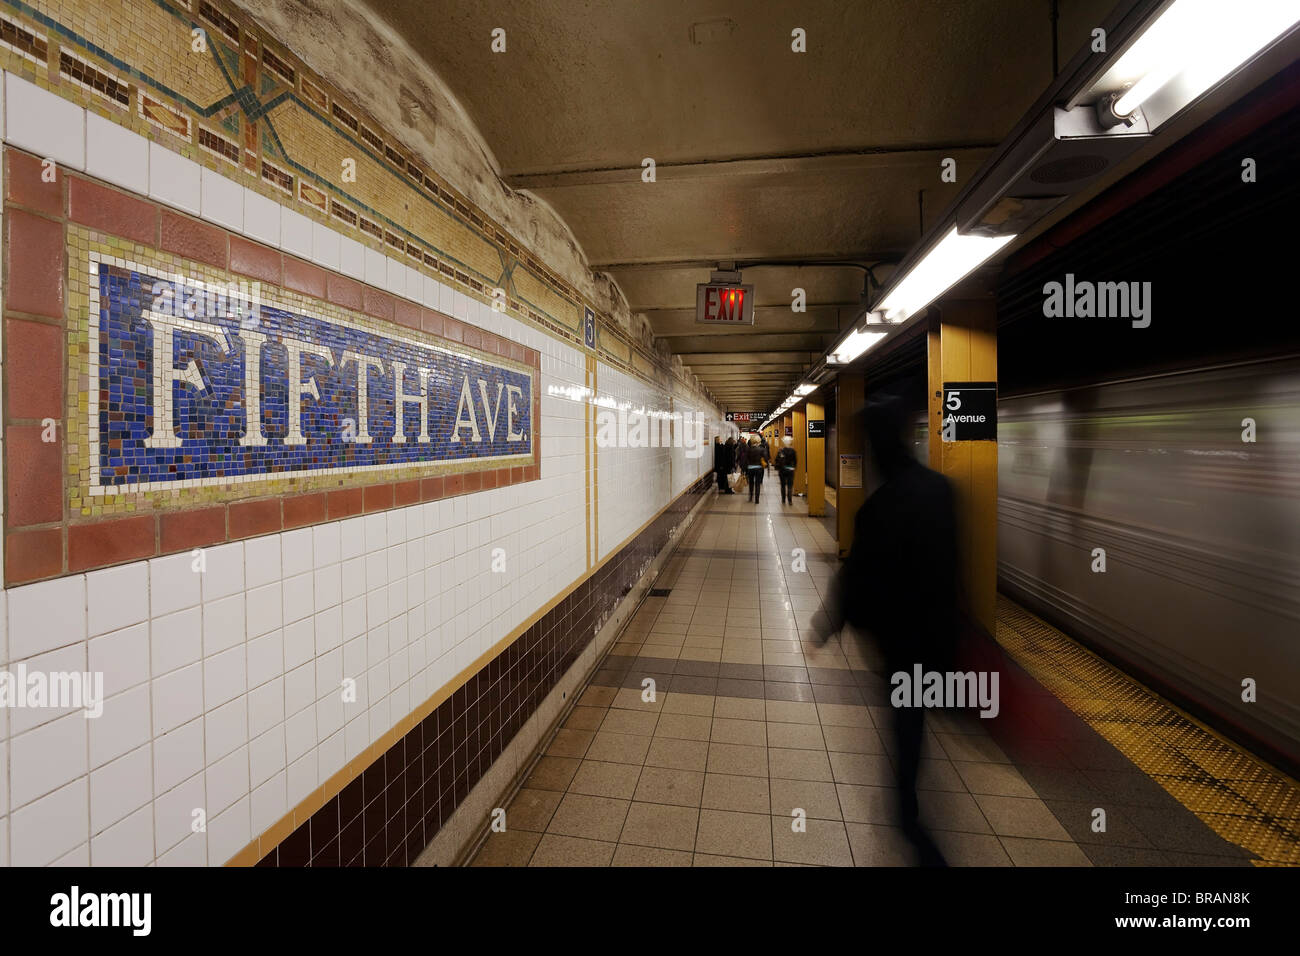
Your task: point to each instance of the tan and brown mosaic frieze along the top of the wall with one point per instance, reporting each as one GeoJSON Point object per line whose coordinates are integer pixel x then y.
{"type": "Point", "coordinates": [235, 113]}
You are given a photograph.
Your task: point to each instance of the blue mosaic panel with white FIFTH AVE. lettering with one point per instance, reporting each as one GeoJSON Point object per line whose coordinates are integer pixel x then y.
{"type": "Point", "coordinates": [192, 386]}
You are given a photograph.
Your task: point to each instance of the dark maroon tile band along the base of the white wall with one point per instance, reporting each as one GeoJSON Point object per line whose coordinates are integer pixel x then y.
{"type": "Point", "coordinates": [395, 810]}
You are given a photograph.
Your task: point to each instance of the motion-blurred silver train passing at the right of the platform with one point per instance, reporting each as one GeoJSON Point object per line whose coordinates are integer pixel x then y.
{"type": "Point", "coordinates": [1201, 530]}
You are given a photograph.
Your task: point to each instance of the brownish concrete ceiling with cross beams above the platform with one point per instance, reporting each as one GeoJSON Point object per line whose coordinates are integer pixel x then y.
{"type": "Point", "coordinates": [762, 155]}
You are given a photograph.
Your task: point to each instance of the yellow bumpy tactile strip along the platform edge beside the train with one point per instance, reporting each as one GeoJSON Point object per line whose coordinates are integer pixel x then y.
{"type": "Point", "coordinates": [1236, 794]}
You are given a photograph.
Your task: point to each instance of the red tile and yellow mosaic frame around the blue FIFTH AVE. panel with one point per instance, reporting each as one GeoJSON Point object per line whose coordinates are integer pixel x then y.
{"type": "Point", "coordinates": [51, 230]}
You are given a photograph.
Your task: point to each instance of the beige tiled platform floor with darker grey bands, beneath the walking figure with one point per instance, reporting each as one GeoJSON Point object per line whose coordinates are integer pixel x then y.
{"type": "Point", "coordinates": [752, 720]}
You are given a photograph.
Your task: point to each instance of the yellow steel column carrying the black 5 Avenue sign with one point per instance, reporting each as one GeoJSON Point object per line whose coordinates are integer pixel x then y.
{"type": "Point", "coordinates": [968, 352]}
